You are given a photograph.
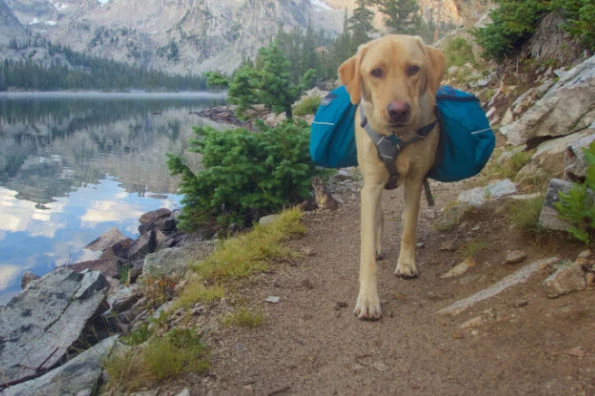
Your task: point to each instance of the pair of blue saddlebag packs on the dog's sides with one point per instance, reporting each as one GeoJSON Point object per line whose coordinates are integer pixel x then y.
{"type": "Point", "coordinates": [466, 139]}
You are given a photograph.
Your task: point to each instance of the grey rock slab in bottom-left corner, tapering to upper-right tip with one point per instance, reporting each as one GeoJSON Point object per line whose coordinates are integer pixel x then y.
{"type": "Point", "coordinates": [78, 376]}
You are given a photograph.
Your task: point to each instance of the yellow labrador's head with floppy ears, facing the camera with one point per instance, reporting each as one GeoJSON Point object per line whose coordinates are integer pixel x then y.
{"type": "Point", "coordinates": [396, 78]}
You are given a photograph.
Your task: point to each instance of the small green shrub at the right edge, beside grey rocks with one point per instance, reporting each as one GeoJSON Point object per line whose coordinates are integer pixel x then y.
{"type": "Point", "coordinates": [578, 205]}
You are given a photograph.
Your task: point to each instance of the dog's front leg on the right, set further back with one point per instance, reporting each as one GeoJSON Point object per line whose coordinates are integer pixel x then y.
{"type": "Point", "coordinates": [406, 264]}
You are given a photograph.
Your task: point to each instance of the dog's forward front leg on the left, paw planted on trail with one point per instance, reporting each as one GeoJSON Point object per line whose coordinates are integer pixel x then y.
{"type": "Point", "coordinates": [368, 303]}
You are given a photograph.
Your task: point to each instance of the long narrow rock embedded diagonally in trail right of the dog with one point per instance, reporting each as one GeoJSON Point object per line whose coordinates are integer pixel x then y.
{"type": "Point", "coordinates": [520, 276]}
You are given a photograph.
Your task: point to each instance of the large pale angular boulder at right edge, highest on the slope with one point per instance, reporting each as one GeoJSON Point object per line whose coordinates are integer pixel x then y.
{"type": "Point", "coordinates": [566, 108]}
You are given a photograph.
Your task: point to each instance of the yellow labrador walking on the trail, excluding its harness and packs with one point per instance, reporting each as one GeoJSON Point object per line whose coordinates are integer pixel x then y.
{"type": "Point", "coordinates": [394, 79]}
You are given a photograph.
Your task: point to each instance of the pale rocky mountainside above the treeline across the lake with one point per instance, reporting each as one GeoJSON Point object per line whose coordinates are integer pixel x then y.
{"type": "Point", "coordinates": [183, 36]}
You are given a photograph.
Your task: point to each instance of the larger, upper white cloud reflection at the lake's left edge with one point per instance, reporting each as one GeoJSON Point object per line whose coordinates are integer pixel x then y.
{"type": "Point", "coordinates": [19, 215]}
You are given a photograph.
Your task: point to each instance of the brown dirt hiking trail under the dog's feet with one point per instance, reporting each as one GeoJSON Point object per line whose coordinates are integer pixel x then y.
{"type": "Point", "coordinates": [518, 342]}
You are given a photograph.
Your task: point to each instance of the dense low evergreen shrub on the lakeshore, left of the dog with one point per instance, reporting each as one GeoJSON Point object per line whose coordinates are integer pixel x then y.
{"type": "Point", "coordinates": [246, 174]}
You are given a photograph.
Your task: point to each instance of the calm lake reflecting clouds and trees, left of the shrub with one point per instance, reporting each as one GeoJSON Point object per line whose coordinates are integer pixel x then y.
{"type": "Point", "coordinates": [72, 166]}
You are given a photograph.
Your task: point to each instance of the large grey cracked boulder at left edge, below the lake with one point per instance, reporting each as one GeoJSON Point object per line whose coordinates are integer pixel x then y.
{"type": "Point", "coordinates": [40, 324]}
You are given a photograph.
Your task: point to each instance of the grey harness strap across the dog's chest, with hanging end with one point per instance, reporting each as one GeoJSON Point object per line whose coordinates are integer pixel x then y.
{"type": "Point", "coordinates": [389, 148]}
